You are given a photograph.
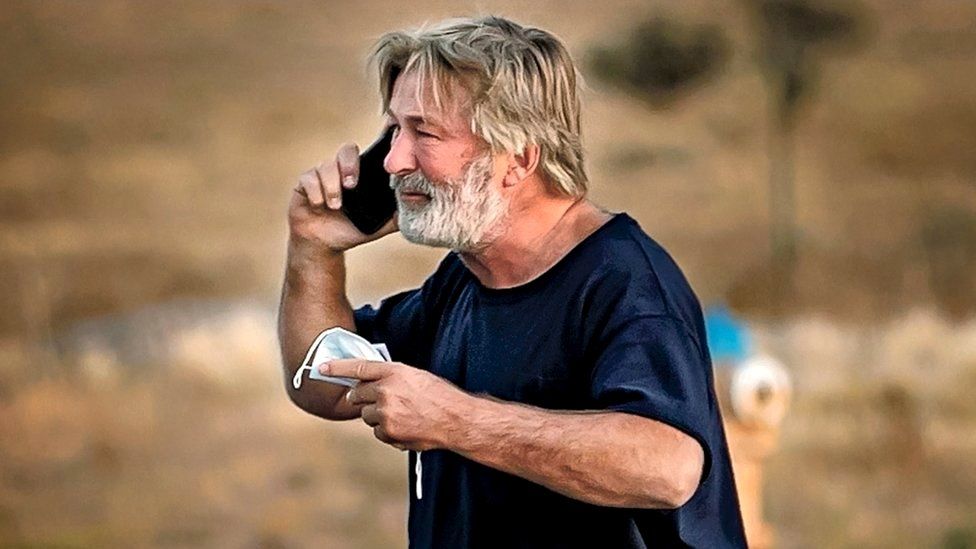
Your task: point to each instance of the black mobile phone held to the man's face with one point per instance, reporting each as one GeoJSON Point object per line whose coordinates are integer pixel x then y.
{"type": "Point", "coordinates": [371, 203]}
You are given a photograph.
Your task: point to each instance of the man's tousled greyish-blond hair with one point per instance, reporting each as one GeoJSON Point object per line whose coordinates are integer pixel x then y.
{"type": "Point", "coordinates": [522, 81]}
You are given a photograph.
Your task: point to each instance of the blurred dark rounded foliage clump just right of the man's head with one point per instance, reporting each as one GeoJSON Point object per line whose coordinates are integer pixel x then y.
{"type": "Point", "coordinates": [661, 59]}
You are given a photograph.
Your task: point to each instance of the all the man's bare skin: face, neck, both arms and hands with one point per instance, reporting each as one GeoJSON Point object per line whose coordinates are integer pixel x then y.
{"type": "Point", "coordinates": [605, 458]}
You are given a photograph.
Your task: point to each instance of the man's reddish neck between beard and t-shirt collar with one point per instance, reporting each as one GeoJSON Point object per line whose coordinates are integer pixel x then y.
{"type": "Point", "coordinates": [535, 239]}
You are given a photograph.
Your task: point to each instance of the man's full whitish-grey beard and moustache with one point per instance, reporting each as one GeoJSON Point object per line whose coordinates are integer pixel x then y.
{"type": "Point", "coordinates": [464, 214]}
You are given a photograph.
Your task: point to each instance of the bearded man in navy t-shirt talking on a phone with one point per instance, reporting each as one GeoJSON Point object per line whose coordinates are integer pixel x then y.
{"type": "Point", "coordinates": [552, 374]}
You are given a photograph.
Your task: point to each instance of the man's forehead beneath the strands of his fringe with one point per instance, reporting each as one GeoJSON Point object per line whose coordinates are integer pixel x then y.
{"type": "Point", "coordinates": [414, 96]}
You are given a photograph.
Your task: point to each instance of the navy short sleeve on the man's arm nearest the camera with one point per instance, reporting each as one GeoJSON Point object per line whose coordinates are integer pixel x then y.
{"type": "Point", "coordinates": [651, 366]}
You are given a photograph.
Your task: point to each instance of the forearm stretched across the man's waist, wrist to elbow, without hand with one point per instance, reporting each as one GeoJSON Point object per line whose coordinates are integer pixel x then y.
{"type": "Point", "coordinates": [604, 458]}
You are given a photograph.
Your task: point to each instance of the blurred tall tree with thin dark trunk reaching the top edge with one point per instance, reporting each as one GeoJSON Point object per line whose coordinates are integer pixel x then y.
{"type": "Point", "coordinates": [793, 37]}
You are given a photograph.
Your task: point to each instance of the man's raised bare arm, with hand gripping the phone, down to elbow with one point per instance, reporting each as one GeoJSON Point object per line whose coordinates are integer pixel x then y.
{"type": "Point", "coordinates": [313, 296]}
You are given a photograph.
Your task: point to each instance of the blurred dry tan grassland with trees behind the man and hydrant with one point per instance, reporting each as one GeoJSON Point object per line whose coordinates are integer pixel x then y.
{"type": "Point", "coordinates": [810, 164]}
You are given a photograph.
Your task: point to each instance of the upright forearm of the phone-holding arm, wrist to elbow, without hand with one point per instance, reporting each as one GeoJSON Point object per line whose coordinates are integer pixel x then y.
{"type": "Point", "coordinates": [313, 298]}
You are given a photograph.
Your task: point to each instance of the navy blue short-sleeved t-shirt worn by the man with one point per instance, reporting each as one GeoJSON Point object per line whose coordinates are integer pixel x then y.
{"type": "Point", "coordinates": [612, 326]}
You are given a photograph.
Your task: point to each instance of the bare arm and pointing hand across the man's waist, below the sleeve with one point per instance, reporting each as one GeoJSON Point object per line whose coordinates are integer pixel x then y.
{"type": "Point", "coordinates": [604, 458]}
